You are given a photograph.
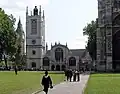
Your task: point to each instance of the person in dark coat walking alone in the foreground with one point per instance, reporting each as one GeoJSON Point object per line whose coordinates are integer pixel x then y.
{"type": "Point", "coordinates": [46, 82]}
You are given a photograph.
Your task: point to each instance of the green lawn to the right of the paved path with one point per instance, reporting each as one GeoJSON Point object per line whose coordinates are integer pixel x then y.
{"type": "Point", "coordinates": [103, 84]}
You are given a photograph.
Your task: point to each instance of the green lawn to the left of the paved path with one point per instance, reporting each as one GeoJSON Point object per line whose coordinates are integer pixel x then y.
{"type": "Point", "coordinates": [24, 82]}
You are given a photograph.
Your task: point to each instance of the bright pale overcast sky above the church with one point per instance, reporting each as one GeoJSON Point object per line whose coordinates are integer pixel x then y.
{"type": "Point", "coordinates": [65, 19]}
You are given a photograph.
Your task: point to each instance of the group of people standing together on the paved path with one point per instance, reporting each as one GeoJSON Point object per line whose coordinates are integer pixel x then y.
{"type": "Point", "coordinates": [75, 74]}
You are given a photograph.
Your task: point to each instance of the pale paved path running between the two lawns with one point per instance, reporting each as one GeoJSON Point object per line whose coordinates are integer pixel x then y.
{"type": "Point", "coordinates": [69, 87]}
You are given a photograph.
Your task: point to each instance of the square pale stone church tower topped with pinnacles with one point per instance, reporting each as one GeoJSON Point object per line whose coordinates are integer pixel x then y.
{"type": "Point", "coordinates": [35, 38]}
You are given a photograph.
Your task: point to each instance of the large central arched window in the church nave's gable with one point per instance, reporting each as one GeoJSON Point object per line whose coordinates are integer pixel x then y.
{"type": "Point", "coordinates": [59, 54]}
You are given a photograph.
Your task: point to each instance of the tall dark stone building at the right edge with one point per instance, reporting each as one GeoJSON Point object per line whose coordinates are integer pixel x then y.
{"type": "Point", "coordinates": [108, 35]}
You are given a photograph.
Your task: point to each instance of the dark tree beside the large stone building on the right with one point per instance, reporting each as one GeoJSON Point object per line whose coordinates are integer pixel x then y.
{"type": "Point", "coordinates": [90, 30]}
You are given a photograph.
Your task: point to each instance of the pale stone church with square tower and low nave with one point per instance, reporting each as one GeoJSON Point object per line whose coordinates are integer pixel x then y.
{"type": "Point", "coordinates": [59, 57]}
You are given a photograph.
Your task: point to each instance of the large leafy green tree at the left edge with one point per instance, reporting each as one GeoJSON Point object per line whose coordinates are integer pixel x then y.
{"type": "Point", "coordinates": [7, 35]}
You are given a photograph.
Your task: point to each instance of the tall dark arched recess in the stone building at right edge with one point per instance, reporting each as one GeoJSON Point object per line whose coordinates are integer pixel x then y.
{"type": "Point", "coordinates": [116, 44]}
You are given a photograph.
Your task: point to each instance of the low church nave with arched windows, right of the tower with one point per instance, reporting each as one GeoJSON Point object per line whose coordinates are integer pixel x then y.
{"type": "Point", "coordinates": [60, 57]}
